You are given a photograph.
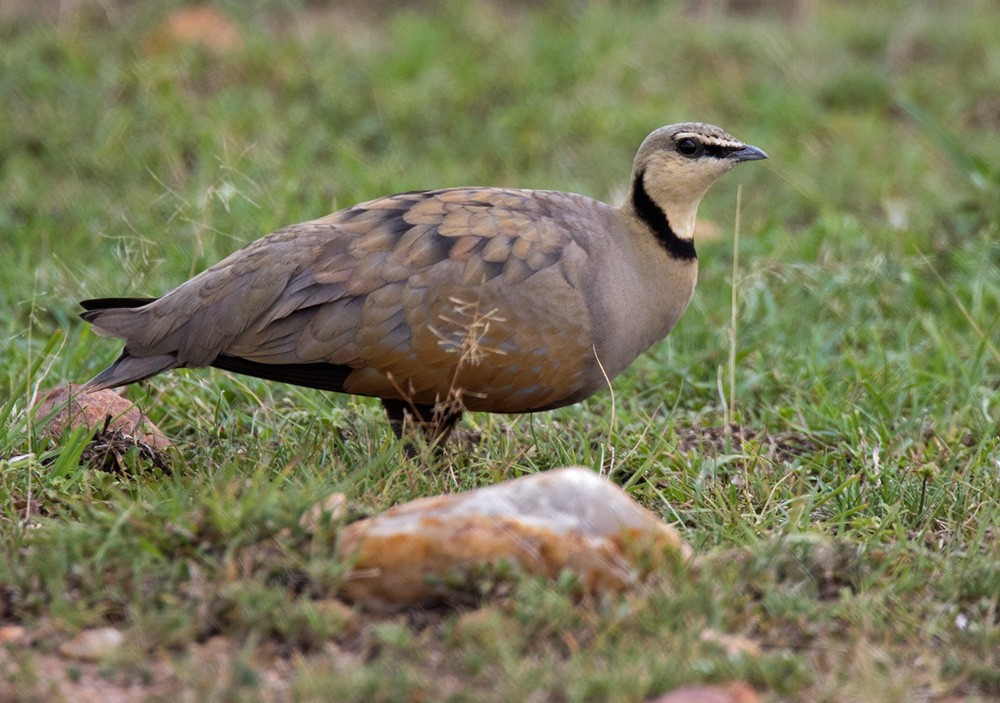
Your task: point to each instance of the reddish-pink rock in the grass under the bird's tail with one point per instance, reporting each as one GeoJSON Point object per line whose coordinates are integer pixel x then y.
{"type": "Point", "coordinates": [68, 407]}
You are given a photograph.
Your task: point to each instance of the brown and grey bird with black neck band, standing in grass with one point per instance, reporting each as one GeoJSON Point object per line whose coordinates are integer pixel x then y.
{"type": "Point", "coordinates": [437, 302]}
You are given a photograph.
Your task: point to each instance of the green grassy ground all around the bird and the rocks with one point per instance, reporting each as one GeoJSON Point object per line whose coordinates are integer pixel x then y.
{"type": "Point", "coordinates": [848, 526]}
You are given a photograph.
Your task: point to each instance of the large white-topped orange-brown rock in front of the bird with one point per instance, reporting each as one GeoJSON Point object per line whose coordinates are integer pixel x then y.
{"type": "Point", "coordinates": [563, 519]}
